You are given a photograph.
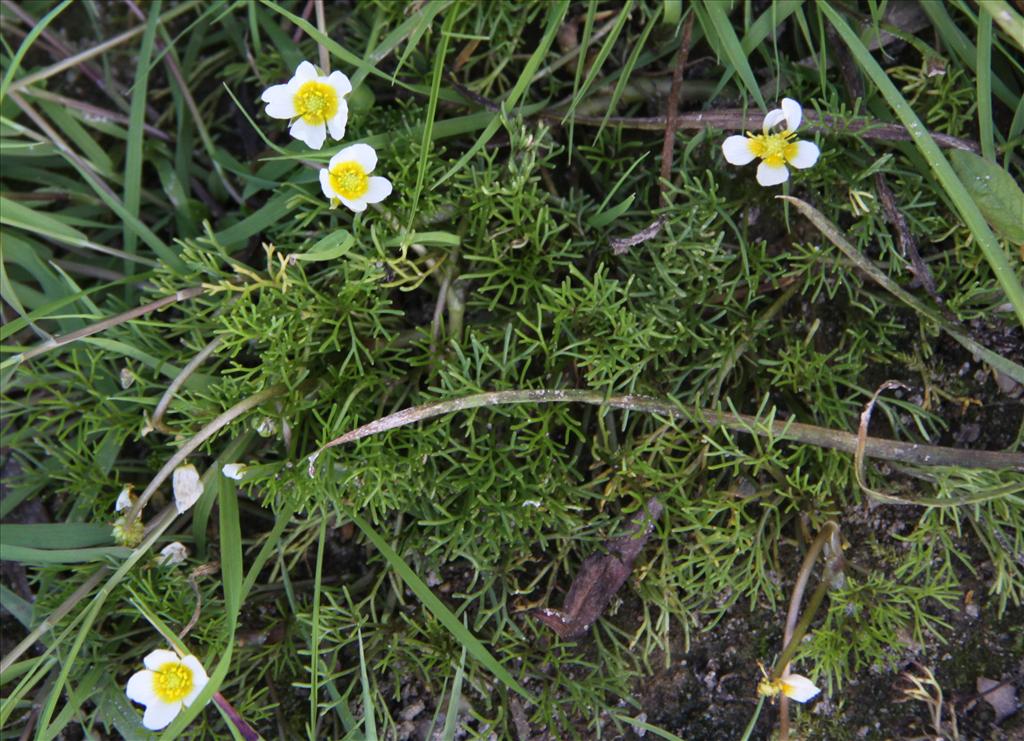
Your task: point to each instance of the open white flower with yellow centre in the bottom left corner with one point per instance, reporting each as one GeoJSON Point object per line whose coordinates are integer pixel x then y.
{"type": "Point", "coordinates": [165, 686]}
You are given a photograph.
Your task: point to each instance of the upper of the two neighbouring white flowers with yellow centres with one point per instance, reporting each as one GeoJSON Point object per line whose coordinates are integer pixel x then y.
{"type": "Point", "coordinates": [315, 104]}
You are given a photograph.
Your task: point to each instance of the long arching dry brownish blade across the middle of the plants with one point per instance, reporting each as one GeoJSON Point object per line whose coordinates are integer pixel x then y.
{"type": "Point", "coordinates": [798, 432]}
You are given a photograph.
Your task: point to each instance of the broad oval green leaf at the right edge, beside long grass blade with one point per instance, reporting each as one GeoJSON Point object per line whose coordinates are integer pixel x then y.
{"type": "Point", "coordinates": [996, 193]}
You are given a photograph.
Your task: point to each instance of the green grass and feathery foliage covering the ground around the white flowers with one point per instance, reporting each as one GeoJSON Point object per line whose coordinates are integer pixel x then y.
{"type": "Point", "coordinates": [166, 246]}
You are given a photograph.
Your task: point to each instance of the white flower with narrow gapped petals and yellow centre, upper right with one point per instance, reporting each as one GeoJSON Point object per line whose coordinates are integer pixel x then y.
{"type": "Point", "coordinates": [777, 150]}
